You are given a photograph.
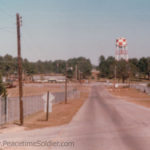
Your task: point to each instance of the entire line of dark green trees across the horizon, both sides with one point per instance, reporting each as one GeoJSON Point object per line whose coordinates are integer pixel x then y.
{"type": "Point", "coordinates": [108, 67]}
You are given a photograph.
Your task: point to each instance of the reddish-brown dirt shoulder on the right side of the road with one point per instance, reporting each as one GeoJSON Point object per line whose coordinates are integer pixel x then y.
{"type": "Point", "coordinates": [131, 95]}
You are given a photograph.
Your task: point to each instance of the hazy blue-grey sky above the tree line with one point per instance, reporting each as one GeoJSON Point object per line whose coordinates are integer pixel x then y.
{"type": "Point", "coordinates": [63, 29]}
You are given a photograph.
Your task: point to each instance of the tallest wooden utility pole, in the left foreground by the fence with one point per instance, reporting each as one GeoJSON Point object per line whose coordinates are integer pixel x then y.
{"type": "Point", "coordinates": [18, 20]}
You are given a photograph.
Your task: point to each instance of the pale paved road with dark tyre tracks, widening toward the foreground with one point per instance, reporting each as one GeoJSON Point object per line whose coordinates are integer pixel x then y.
{"type": "Point", "coordinates": [103, 123]}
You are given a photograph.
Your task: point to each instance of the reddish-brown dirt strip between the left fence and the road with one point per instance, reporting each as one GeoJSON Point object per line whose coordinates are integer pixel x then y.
{"type": "Point", "coordinates": [62, 113]}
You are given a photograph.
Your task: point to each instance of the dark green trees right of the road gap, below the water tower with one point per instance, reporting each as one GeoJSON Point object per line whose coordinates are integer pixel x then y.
{"type": "Point", "coordinates": [133, 69]}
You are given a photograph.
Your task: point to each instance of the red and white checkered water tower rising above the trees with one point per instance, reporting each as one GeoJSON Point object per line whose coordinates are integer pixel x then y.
{"type": "Point", "coordinates": [121, 49]}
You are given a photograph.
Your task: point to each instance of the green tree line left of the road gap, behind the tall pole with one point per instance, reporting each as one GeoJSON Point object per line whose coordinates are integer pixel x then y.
{"type": "Point", "coordinates": [8, 65]}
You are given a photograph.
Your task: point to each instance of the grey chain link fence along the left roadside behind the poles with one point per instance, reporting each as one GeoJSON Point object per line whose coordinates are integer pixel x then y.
{"type": "Point", "coordinates": [9, 108]}
